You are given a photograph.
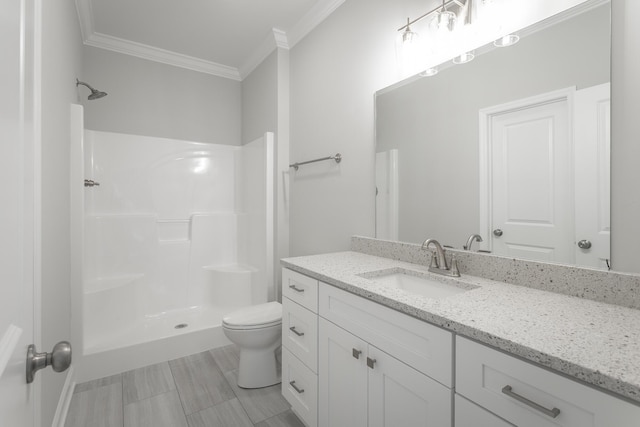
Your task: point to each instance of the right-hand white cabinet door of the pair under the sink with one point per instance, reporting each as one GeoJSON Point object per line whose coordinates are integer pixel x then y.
{"type": "Point", "coordinates": [401, 396]}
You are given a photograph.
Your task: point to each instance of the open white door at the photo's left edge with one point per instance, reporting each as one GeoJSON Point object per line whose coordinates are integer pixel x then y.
{"type": "Point", "coordinates": [17, 399]}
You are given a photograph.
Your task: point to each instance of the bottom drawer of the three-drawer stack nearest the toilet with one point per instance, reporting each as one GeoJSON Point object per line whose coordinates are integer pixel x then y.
{"type": "Point", "coordinates": [300, 388]}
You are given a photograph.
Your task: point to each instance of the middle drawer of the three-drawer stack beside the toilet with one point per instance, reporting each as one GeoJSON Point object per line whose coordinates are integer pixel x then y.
{"type": "Point", "coordinates": [300, 333]}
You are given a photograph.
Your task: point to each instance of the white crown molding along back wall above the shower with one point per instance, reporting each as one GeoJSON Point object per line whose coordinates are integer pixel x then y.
{"type": "Point", "coordinates": [163, 56]}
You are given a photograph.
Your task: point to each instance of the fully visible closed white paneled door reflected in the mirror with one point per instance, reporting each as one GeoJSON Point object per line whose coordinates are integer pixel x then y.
{"type": "Point", "coordinates": [531, 180]}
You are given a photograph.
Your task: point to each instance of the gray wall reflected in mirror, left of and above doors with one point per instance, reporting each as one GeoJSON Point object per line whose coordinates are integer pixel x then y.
{"type": "Point", "coordinates": [433, 122]}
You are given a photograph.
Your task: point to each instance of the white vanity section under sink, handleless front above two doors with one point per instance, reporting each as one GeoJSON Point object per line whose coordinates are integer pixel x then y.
{"type": "Point", "coordinates": [373, 365]}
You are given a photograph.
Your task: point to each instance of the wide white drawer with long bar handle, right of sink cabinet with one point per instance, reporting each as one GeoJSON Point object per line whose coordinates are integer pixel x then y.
{"type": "Point", "coordinates": [527, 395]}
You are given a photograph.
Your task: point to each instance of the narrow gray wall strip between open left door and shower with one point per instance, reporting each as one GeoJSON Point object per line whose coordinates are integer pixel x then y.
{"type": "Point", "coordinates": [61, 62]}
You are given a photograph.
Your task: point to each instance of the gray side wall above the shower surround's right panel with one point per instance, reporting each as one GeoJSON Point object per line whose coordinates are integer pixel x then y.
{"type": "Point", "coordinates": [259, 100]}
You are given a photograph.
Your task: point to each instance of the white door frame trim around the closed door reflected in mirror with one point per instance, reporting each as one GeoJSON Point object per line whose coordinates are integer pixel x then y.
{"type": "Point", "coordinates": [485, 180]}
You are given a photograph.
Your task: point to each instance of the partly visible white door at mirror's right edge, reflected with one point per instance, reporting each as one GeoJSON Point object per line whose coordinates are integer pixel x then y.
{"type": "Point", "coordinates": [592, 136]}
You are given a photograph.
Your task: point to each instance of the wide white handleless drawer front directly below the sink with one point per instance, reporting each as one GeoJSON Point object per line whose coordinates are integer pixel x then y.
{"type": "Point", "coordinates": [424, 347]}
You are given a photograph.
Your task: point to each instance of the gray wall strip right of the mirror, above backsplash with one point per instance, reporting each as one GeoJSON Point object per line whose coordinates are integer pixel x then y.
{"type": "Point", "coordinates": [625, 136]}
